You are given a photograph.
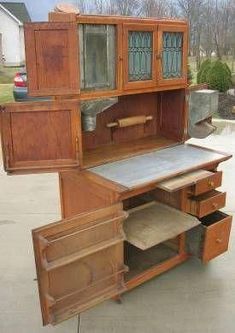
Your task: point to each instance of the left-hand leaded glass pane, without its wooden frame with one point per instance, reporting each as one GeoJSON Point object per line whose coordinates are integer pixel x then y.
{"type": "Point", "coordinates": [140, 49]}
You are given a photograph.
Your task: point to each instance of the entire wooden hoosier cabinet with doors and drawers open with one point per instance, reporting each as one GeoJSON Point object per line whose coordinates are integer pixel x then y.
{"type": "Point", "coordinates": [136, 200]}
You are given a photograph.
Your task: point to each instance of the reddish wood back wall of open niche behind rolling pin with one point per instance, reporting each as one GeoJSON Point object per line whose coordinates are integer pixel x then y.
{"type": "Point", "coordinates": [166, 108]}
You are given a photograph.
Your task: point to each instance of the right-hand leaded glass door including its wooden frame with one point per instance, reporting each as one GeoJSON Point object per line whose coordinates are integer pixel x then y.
{"type": "Point", "coordinates": [172, 55]}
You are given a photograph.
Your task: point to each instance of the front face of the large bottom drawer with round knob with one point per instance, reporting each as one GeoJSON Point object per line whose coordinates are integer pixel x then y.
{"type": "Point", "coordinates": [216, 238]}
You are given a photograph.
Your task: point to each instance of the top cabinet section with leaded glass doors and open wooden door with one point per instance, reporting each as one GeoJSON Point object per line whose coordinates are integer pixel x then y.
{"type": "Point", "coordinates": [96, 56]}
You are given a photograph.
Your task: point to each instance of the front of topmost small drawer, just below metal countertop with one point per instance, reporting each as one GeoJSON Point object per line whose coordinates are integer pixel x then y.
{"type": "Point", "coordinates": [207, 184]}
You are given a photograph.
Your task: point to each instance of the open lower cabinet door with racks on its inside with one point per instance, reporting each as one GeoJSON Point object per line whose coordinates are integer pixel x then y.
{"type": "Point", "coordinates": [79, 262]}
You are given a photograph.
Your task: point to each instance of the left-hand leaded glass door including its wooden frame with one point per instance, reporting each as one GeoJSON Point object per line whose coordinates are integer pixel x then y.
{"type": "Point", "coordinates": [139, 46]}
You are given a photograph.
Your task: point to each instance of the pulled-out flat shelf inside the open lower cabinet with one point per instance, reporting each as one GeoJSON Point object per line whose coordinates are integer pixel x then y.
{"type": "Point", "coordinates": [154, 223]}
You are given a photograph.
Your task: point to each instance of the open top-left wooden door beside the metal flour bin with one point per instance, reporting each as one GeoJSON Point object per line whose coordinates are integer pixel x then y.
{"type": "Point", "coordinates": [52, 58]}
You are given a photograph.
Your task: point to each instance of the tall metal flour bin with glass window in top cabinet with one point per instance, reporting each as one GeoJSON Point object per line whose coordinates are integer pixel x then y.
{"type": "Point", "coordinates": [97, 57]}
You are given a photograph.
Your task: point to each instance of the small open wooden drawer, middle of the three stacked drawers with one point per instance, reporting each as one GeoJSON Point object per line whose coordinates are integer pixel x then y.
{"type": "Point", "coordinates": [206, 203]}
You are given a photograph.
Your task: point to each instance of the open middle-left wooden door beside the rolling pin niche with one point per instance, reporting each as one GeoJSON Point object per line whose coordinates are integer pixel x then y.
{"type": "Point", "coordinates": [41, 136]}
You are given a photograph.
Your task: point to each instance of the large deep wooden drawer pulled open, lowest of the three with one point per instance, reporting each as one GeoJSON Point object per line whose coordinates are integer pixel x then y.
{"type": "Point", "coordinates": [211, 238]}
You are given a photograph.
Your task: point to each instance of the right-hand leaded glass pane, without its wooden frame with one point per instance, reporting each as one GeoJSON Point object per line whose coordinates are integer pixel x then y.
{"type": "Point", "coordinates": [172, 55]}
